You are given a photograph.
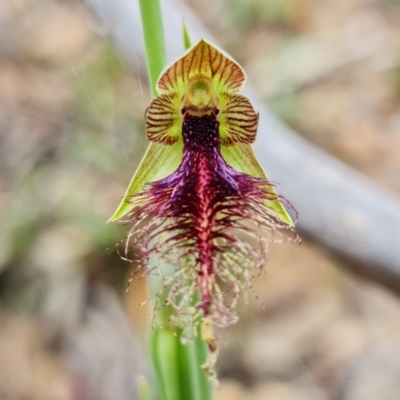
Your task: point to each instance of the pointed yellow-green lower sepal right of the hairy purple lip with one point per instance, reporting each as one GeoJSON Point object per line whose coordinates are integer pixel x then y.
{"type": "Point", "coordinates": [242, 158]}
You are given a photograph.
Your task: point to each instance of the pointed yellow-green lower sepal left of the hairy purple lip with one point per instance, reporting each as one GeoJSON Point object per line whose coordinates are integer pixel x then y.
{"type": "Point", "coordinates": [158, 162]}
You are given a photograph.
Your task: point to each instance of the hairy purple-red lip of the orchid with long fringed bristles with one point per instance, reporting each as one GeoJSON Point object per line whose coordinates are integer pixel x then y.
{"type": "Point", "coordinates": [210, 220]}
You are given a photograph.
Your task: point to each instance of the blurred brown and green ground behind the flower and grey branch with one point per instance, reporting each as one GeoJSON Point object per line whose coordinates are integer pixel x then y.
{"type": "Point", "coordinates": [71, 136]}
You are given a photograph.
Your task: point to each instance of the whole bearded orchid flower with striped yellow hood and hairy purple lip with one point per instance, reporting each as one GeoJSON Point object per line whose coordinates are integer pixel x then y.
{"type": "Point", "coordinates": [200, 200]}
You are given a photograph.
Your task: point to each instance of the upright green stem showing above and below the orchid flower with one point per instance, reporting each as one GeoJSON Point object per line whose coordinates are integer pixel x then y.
{"type": "Point", "coordinates": [177, 366]}
